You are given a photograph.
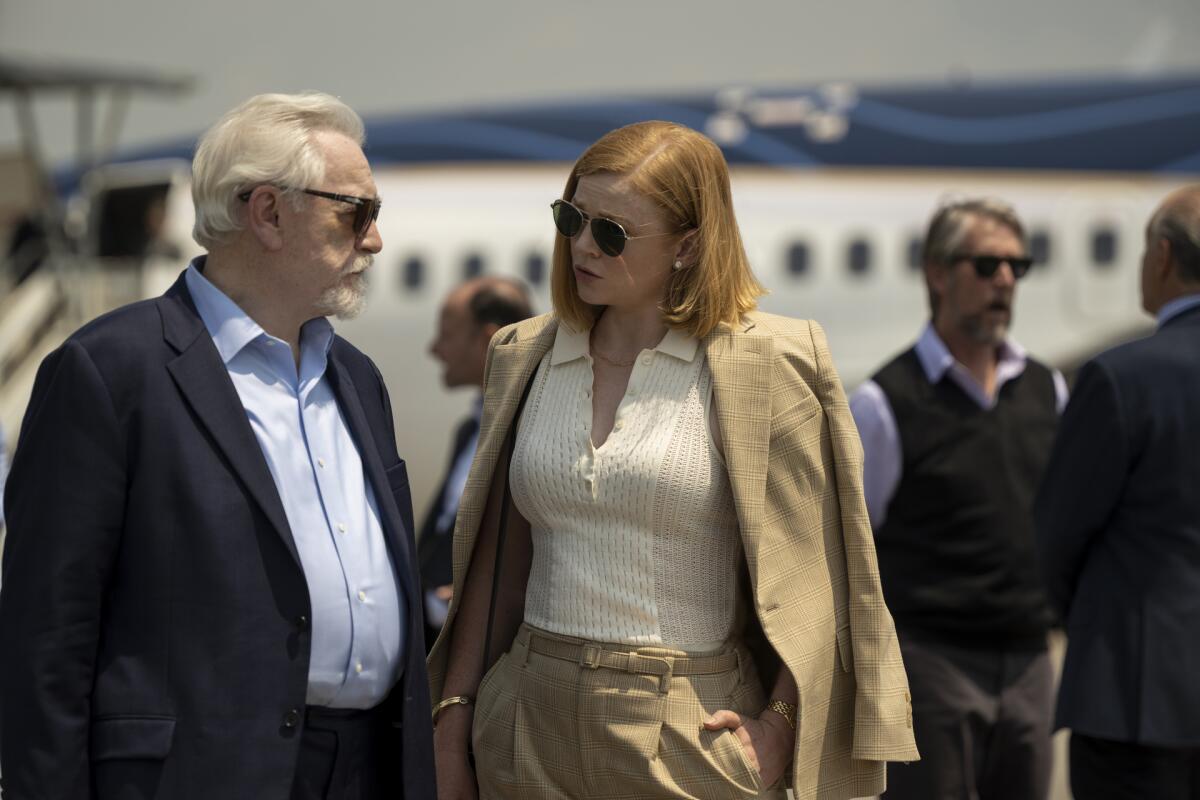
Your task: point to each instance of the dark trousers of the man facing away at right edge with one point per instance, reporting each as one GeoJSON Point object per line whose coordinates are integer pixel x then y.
{"type": "Point", "coordinates": [1120, 771]}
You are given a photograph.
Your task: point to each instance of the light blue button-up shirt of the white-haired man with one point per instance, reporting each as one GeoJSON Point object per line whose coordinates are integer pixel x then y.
{"type": "Point", "coordinates": [357, 633]}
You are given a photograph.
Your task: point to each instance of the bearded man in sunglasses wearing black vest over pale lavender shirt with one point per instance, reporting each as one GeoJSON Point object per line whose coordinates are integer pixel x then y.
{"type": "Point", "coordinates": [957, 432]}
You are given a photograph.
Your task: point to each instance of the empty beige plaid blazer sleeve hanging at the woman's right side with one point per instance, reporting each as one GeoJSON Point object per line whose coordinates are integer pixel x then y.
{"type": "Point", "coordinates": [883, 709]}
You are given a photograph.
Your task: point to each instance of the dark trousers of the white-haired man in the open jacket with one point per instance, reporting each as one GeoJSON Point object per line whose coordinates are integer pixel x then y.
{"type": "Point", "coordinates": [343, 757]}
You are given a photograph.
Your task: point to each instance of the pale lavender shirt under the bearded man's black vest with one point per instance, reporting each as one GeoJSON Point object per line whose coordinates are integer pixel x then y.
{"type": "Point", "coordinates": [883, 460]}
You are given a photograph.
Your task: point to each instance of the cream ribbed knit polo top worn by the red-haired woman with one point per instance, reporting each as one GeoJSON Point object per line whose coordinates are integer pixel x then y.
{"type": "Point", "coordinates": [635, 542]}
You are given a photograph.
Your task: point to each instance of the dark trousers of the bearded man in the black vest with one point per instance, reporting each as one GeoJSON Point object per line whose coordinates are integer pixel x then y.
{"type": "Point", "coordinates": [982, 719]}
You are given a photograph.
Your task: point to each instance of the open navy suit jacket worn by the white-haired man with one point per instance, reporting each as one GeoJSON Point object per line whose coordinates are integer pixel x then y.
{"type": "Point", "coordinates": [154, 616]}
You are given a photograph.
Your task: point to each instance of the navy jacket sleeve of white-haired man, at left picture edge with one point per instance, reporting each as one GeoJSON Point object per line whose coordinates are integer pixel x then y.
{"type": "Point", "coordinates": [65, 507]}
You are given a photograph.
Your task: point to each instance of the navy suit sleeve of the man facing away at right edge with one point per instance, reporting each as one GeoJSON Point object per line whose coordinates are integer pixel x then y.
{"type": "Point", "coordinates": [1083, 483]}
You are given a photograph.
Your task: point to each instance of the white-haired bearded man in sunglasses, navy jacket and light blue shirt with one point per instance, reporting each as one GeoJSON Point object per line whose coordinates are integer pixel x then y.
{"type": "Point", "coordinates": [209, 586]}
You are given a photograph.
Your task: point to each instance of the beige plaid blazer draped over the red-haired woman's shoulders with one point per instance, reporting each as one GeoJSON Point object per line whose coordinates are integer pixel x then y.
{"type": "Point", "coordinates": [796, 467]}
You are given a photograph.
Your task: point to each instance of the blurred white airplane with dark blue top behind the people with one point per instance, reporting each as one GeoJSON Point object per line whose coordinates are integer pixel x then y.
{"type": "Point", "coordinates": [833, 187]}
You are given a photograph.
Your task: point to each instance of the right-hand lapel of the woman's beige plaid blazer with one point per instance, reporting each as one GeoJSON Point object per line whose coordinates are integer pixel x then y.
{"type": "Point", "coordinates": [741, 364]}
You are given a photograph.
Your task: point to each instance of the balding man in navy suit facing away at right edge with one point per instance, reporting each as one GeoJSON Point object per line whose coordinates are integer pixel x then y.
{"type": "Point", "coordinates": [1119, 534]}
